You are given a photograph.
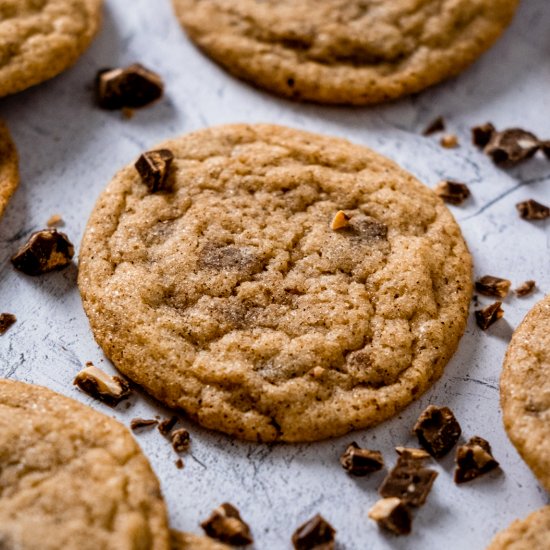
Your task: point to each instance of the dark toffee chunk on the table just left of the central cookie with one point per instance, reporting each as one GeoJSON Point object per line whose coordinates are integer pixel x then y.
{"type": "Point", "coordinates": [45, 251]}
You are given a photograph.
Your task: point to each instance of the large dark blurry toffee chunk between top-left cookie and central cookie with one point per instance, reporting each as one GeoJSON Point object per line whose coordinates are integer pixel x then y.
{"type": "Point", "coordinates": [132, 87]}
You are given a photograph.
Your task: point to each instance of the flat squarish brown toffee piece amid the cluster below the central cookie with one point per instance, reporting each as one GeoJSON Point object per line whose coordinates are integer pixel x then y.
{"type": "Point", "coordinates": [408, 481]}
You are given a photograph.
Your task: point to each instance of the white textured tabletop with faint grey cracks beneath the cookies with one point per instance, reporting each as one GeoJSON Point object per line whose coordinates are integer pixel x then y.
{"type": "Point", "coordinates": [70, 150]}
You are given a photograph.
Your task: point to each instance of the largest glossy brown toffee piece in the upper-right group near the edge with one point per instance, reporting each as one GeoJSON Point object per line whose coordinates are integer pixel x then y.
{"type": "Point", "coordinates": [510, 147]}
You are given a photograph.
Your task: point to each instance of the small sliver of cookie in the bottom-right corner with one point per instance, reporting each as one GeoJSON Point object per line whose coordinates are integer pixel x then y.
{"type": "Point", "coordinates": [526, 534]}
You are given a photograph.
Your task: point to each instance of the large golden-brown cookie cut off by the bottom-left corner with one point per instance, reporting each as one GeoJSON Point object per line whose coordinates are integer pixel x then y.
{"type": "Point", "coordinates": [72, 478]}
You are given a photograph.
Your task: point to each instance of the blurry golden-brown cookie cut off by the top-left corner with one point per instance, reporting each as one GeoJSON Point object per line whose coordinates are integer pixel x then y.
{"type": "Point", "coordinates": [40, 39]}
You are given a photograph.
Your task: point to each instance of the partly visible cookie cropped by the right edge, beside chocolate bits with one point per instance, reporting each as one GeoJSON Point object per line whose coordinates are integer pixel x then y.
{"type": "Point", "coordinates": [525, 390]}
